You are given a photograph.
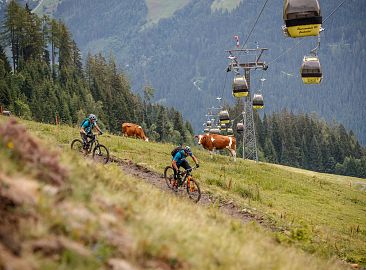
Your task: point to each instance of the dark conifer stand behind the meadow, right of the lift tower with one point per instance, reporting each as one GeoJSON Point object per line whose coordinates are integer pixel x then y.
{"type": "Point", "coordinates": [308, 142]}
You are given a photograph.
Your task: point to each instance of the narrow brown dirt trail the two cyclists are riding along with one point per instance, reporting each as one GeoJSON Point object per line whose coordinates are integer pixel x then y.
{"type": "Point", "coordinates": [158, 181]}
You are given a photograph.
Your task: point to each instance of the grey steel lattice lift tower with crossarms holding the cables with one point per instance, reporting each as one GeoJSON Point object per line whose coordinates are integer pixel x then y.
{"type": "Point", "coordinates": [249, 139]}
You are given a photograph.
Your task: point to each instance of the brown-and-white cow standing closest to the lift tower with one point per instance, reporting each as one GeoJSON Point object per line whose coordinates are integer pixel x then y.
{"type": "Point", "coordinates": [214, 142]}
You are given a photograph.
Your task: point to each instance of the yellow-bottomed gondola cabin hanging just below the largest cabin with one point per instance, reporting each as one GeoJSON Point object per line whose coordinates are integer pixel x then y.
{"type": "Point", "coordinates": [311, 72]}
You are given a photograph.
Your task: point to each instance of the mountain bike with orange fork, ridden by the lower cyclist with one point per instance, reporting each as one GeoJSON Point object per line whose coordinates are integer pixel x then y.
{"type": "Point", "coordinates": [191, 185]}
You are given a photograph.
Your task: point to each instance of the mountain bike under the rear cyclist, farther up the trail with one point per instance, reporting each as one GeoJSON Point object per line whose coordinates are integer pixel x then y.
{"type": "Point", "coordinates": [100, 152]}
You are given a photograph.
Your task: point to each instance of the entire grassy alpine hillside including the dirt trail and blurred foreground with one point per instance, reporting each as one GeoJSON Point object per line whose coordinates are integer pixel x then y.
{"type": "Point", "coordinates": [252, 215]}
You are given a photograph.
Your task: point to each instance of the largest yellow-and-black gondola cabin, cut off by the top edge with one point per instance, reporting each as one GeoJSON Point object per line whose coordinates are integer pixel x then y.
{"type": "Point", "coordinates": [302, 18]}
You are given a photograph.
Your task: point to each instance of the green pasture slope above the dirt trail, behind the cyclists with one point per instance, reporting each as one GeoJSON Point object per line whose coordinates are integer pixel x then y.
{"type": "Point", "coordinates": [322, 214]}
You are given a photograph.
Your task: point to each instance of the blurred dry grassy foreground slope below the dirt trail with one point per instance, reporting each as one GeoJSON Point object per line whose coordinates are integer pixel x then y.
{"type": "Point", "coordinates": [68, 212]}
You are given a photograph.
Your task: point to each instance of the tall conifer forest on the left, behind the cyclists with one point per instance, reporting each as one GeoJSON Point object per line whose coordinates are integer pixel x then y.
{"type": "Point", "coordinates": [45, 78]}
